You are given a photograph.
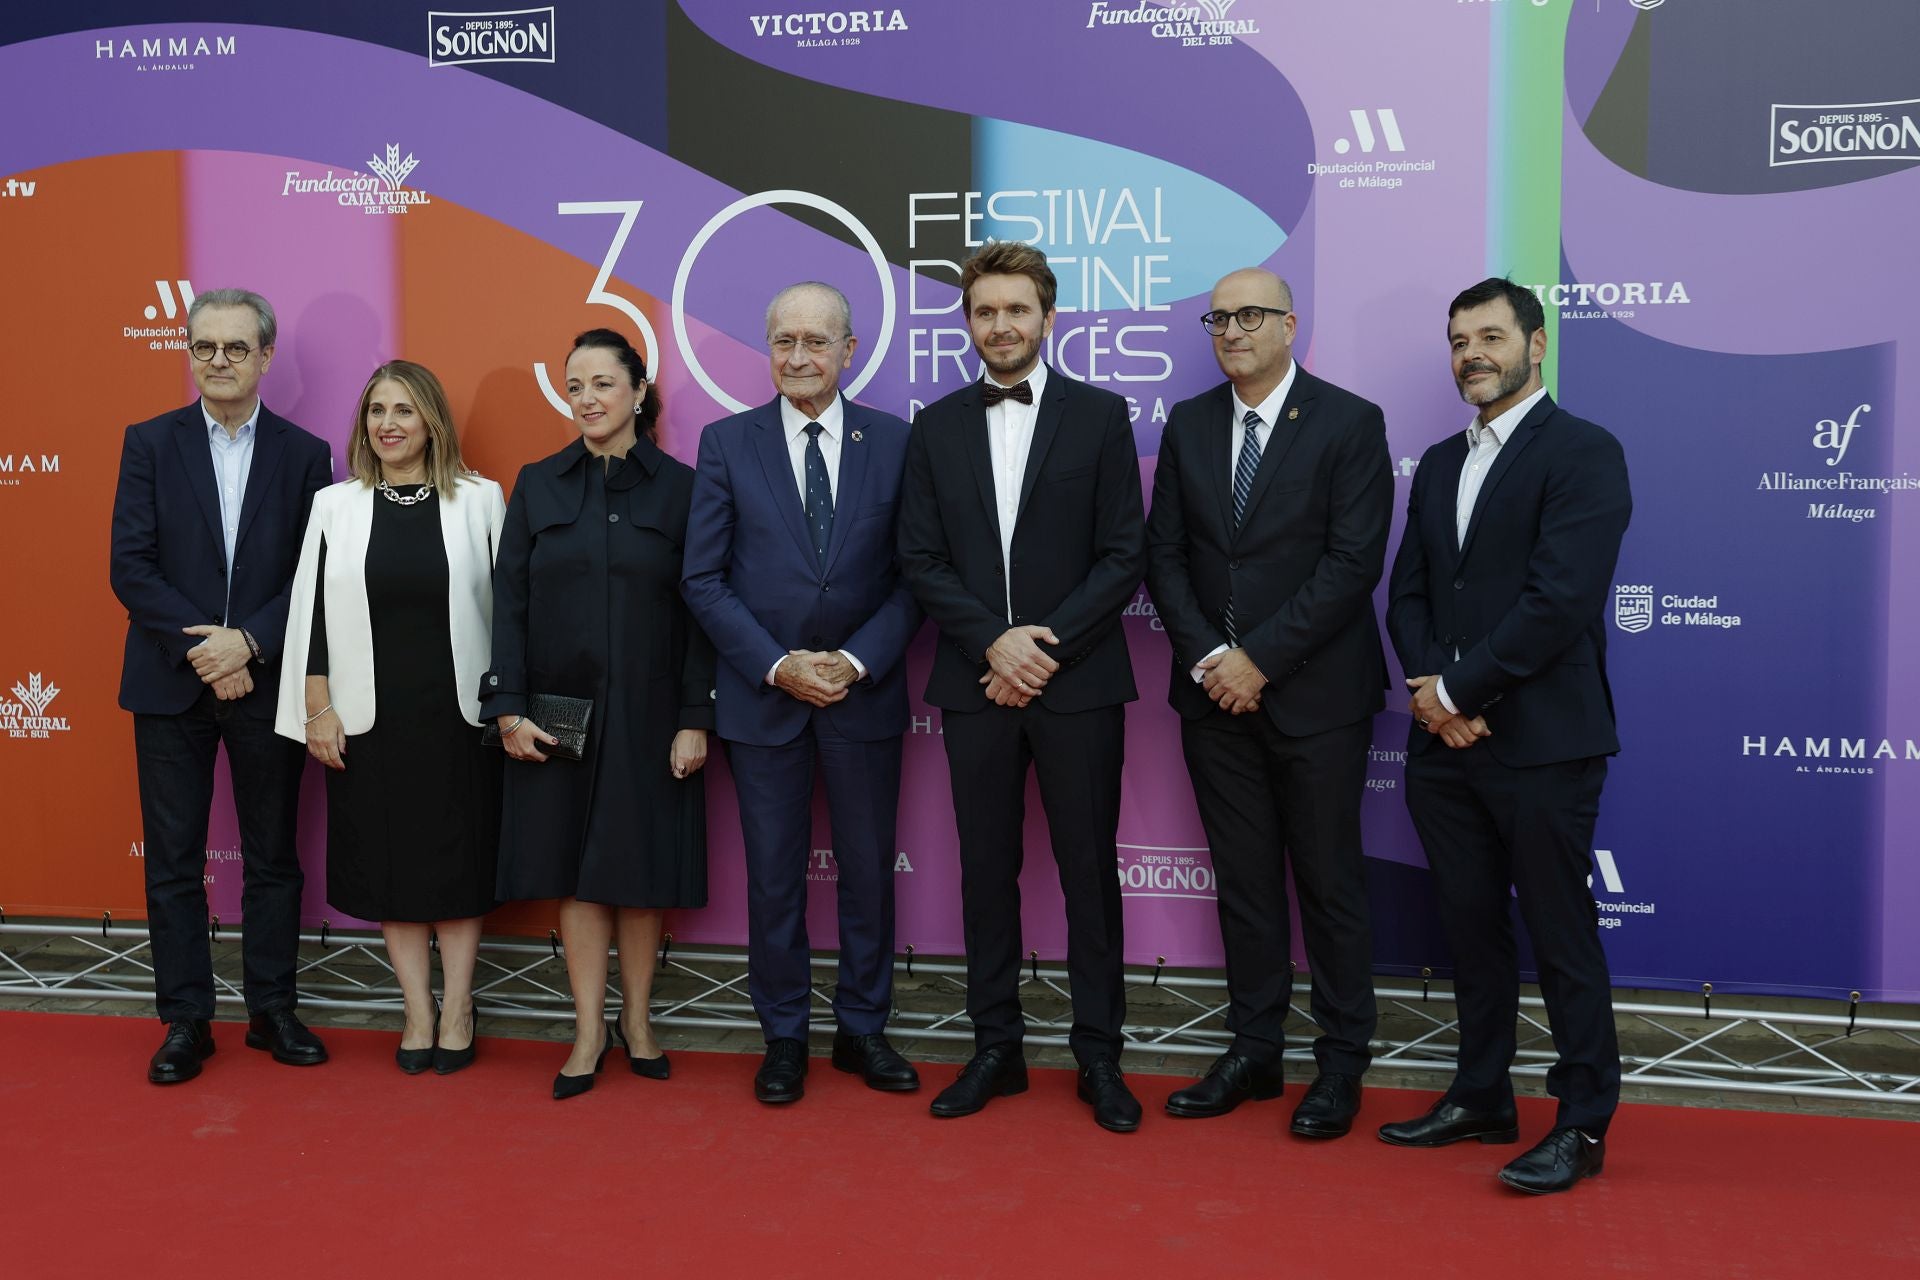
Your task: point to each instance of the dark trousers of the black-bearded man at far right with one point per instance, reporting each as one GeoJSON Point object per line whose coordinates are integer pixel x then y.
{"type": "Point", "coordinates": [1489, 828]}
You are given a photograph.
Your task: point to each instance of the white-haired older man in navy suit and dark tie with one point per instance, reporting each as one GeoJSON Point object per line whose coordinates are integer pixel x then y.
{"type": "Point", "coordinates": [790, 569]}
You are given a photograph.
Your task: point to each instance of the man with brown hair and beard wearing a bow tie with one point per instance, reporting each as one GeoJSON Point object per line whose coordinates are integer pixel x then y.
{"type": "Point", "coordinates": [1022, 538]}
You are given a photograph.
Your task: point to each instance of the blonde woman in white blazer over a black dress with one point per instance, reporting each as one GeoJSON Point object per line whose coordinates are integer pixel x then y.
{"type": "Point", "coordinates": [387, 636]}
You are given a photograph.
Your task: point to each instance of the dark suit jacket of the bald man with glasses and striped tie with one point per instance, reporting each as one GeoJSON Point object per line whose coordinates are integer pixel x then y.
{"type": "Point", "coordinates": [1303, 565]}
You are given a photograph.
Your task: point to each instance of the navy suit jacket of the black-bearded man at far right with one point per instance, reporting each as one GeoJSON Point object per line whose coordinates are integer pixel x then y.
{"type": "Point", "coordinates": [1524, 598]}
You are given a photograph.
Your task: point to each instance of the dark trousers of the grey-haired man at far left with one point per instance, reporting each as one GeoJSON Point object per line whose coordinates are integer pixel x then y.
{"type": "Point", "coordinates": [176, 761]}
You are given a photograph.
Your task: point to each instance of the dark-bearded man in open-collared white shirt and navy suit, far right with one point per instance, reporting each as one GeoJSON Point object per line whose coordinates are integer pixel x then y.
{"type": "Point", "coordinates": [1497, 609]}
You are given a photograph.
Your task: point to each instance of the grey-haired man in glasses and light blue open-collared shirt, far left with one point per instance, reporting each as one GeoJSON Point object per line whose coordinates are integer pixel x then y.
{"type": "Point", "coordinates": [208, 521]}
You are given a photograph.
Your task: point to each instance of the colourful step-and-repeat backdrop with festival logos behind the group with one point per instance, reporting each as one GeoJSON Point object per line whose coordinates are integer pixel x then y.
{"type": "Point", "coordinates": [1714, 201]}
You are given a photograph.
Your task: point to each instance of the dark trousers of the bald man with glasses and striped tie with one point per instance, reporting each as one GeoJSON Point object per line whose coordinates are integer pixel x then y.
{"type": "Point", "coordinates": [1268, 799]}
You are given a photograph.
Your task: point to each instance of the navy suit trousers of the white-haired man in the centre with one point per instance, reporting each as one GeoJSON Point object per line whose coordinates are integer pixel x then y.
{"type": "Point", "coordinates": [777, 818]}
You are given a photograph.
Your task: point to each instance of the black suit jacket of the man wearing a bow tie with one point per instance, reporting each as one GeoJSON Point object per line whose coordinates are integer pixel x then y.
{"type": "Point", "coordinates": [1078, 552]}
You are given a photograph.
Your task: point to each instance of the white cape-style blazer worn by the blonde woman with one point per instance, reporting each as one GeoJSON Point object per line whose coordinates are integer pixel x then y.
{"type": "Point", "coordinates": [343, 513]}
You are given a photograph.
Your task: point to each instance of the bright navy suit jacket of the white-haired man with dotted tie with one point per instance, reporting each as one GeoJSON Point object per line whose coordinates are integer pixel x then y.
{"type": "Point", "coordinates": [757, 588]}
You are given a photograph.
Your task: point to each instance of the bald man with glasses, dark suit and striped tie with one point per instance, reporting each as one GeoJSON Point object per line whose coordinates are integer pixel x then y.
{"type": "Point", "coordinates": [1272, 502]}
